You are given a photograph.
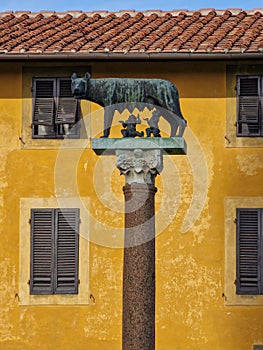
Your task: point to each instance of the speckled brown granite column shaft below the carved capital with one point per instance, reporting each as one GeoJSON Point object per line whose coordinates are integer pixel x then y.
{"type": "Point", "coordinates": [139, 268]}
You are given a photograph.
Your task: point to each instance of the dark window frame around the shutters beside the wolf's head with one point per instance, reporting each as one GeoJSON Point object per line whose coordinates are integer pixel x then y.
{"type": "Point", "coordinates": [55, 133]}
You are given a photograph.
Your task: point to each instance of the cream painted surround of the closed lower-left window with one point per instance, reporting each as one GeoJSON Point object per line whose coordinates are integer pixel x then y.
{"type": "Point", "coordinates": [83, 296]}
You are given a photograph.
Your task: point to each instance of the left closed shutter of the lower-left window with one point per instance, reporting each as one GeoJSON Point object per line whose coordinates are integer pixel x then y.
{"type": "Point", "coordinates": [42, 243]}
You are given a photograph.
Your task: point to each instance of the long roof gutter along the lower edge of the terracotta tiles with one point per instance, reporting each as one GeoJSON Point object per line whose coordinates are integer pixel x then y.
{"type": "Point", "coordinates": [129, 56]}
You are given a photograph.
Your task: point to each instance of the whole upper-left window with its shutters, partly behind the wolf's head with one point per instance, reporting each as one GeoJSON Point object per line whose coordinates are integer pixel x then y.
{"type": "Point", "coordinates": [55, 110]}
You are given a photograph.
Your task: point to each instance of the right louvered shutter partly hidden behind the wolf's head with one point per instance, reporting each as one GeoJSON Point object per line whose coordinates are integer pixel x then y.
{"type": "Point", "coordinates": [66, 103]}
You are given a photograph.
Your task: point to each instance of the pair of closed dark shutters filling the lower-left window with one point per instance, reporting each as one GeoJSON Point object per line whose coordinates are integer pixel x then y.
{"type": "Point", "coordinates": [54, 251]}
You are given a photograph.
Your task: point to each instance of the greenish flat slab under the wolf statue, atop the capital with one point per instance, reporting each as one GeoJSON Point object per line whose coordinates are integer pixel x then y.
{"type": "Point", "coordinates": [169, 145]}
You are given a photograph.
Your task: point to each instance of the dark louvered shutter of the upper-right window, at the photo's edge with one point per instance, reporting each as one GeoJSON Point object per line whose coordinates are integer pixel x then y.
{"type": "Point", "coordinates": [248, 89]}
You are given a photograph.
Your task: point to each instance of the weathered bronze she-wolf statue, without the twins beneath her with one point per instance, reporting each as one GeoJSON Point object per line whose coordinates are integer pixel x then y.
{"type": "Point", "coordinates": [121, 93]}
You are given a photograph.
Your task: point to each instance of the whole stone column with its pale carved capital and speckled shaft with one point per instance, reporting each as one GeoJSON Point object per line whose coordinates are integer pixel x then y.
{"type": "Point", "coordinates": [140, 168]}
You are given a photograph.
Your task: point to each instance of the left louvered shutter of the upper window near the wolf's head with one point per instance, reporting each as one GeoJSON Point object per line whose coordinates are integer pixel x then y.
{"type": "Point", "coordinates": [43, 101]}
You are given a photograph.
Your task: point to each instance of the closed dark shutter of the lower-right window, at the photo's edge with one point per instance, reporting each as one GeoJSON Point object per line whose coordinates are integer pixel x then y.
{"type": "Point", "coordinates": [249, 251]}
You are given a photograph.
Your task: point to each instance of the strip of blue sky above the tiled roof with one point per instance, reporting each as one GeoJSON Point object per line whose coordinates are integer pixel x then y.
{"type": "Point", "coordinates": [116, 5]}
